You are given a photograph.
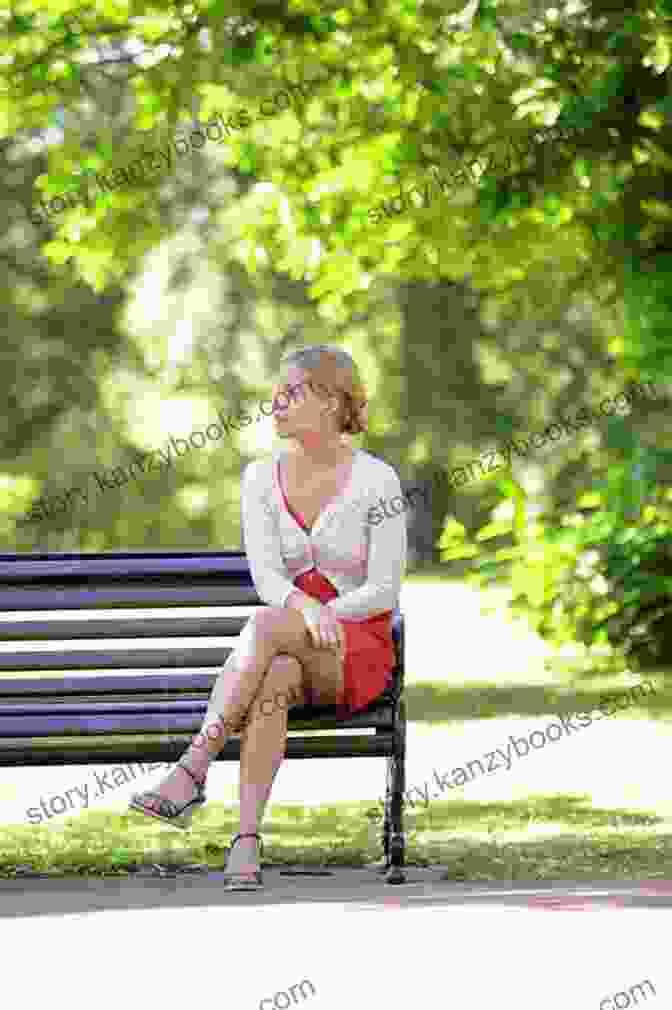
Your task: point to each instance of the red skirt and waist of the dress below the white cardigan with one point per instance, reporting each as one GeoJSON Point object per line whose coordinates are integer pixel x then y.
{"type": "Point", "coordinates": [370, 656]}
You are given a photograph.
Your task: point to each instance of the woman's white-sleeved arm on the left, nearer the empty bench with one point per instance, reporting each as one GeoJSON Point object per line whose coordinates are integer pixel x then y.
{"type": "Point", "coordinates": [261, 541]}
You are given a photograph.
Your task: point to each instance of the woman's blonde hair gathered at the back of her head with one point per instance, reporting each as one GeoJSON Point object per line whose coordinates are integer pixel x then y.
{"type": "Point", "coordinates": [333, 372]}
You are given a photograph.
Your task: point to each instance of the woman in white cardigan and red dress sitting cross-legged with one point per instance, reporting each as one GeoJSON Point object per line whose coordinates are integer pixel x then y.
{"type": "Point", "coordinates": [332, 578]}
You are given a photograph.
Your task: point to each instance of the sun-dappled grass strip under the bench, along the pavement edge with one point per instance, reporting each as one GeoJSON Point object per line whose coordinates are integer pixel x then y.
{"type": "Point", "coordinates": [540, 838]}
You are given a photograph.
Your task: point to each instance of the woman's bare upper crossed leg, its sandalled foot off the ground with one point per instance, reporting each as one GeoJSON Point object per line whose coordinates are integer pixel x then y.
{"type": "Point", "coordinates": [270, 633]}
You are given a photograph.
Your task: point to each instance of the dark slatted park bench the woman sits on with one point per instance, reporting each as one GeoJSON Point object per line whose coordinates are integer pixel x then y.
{"type": "Point", "coordinates": [126, 704]}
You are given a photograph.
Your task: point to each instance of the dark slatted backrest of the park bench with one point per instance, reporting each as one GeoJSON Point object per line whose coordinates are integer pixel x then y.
{"type": "Point", "coordinates": [134, 582]}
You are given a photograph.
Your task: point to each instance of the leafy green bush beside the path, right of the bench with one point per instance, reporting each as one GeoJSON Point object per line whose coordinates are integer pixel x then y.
{"type": "Point", "coordinates": [601, 574]}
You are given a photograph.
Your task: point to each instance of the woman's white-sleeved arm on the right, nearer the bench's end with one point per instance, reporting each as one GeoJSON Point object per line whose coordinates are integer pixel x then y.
{"type": "Point", "coordinates": [388, 562]}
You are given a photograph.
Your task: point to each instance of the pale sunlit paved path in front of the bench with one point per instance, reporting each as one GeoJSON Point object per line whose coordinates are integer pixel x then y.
{"type": "Point", "coordinates": [76, 943]}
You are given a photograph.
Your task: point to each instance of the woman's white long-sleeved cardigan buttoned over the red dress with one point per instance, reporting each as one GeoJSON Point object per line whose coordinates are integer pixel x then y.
{"type": "Point", "coordinates": [365, 560]}
